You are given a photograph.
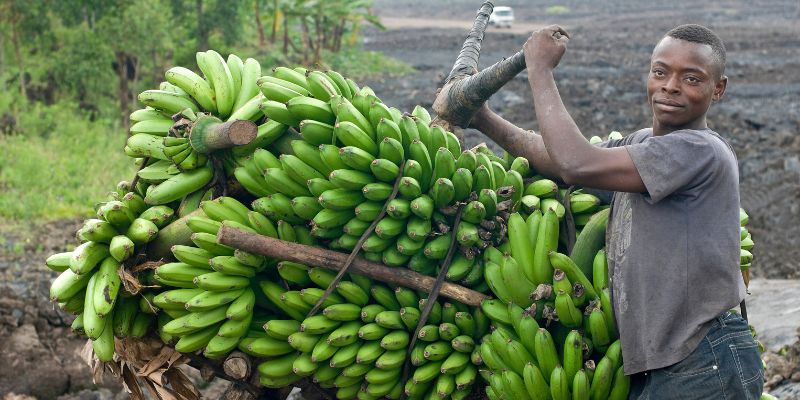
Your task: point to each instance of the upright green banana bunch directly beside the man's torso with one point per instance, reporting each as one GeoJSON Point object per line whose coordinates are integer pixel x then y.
{"type": "Point", "coordinates": [554, 332]}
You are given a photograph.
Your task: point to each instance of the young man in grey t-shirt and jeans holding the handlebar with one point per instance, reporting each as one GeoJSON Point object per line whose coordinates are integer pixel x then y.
{"type": "Point", "coordinates": [673, 235]}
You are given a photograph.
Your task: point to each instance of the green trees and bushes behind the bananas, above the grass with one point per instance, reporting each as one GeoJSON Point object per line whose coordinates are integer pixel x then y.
{"type": "Point", "coordinates": [102, 53]}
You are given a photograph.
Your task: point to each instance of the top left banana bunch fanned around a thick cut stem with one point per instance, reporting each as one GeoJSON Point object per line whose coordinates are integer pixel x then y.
{"type": "Point", "coordinates": [161, 133]}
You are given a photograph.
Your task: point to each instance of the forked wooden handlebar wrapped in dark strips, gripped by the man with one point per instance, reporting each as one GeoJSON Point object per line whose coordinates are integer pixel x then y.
{"type": "Point", "coordinates": [466, 89]}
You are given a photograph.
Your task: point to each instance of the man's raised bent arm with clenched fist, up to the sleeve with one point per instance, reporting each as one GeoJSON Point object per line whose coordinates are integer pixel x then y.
{"type": "Point", "coordinates": [574, 159]}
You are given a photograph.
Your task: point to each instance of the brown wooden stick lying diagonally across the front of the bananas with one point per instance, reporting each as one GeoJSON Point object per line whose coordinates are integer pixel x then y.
{"type": "Point", "coordinates": [314, 256]}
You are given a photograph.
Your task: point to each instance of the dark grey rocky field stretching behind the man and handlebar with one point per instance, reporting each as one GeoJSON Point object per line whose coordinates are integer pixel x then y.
{"type": "Point", "coordinates": [601, 79]}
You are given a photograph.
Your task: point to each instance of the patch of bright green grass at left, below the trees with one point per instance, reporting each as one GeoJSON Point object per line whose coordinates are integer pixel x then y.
{"type": "Point", "coordinates": [57, 163]}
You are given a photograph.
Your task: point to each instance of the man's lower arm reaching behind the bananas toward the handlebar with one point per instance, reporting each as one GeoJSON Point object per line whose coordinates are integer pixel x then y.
{"type": "Point", "coordinates": [515, 140]}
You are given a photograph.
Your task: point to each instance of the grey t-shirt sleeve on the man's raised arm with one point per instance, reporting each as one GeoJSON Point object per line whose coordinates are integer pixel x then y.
{"type": "Point", "coordinates": [673, 162]}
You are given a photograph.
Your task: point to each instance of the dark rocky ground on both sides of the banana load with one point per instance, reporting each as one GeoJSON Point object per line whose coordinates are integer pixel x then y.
{"type": "Point", "coordinates": [601, 79]}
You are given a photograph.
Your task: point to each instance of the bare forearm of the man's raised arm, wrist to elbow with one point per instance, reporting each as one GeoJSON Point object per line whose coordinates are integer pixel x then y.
{"type": "Point", "coordinates": [566, 145]}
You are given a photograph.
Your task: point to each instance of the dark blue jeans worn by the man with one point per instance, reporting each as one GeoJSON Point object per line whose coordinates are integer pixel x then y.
{"type": "Point", "coordinates": [725, 365]}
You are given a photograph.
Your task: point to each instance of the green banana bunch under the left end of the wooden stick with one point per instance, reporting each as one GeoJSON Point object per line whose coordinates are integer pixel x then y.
{"type": "Point", "coordinates": [210, 303]}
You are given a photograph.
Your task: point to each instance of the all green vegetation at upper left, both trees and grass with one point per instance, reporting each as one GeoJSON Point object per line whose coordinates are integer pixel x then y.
{"type": "Point", "coordinates": [70, 72]}
